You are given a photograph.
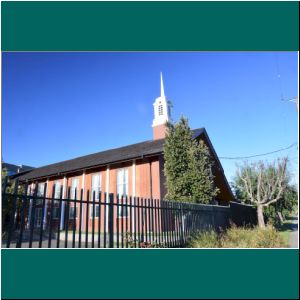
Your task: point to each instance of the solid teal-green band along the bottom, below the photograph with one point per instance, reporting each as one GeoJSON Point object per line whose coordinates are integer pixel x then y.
{"type": "Point", "coordinates": [150, 274]}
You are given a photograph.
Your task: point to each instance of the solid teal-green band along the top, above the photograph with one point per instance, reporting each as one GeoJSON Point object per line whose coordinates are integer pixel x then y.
{"type": "Point", "coordinates": [150, 26]}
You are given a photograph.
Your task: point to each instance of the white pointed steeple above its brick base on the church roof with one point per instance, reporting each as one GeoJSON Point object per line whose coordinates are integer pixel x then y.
{"type": "Point", "coordinates": [162, 107]}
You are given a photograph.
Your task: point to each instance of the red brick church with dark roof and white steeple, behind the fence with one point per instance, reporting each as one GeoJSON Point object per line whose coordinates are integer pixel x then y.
{"type": "Point", "coordinates": [135, 170]}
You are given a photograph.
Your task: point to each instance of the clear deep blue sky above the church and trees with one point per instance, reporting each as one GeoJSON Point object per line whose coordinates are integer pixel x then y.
{"type": "Point", "coordinates": [57, 106]}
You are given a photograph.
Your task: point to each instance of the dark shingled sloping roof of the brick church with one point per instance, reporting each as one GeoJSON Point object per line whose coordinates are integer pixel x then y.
{"type": "Point", "coordinates": [138, 150]}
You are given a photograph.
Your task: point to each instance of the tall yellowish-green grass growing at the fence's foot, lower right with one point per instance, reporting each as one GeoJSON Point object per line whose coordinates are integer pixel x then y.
{"type": "Point", "coordinates": [239, 238]}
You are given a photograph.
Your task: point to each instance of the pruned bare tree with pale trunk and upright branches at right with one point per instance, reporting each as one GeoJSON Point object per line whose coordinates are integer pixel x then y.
{"type": "Point", "coordinates": [263, 183]}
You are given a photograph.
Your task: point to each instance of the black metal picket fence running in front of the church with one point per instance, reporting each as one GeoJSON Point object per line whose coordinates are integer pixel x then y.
{"type": "Point", "coordinates": [102, 220]}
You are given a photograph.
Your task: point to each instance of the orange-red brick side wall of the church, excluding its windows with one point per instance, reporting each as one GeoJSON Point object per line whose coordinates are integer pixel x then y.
{"type": "Point", "coordinates": [147, 185]}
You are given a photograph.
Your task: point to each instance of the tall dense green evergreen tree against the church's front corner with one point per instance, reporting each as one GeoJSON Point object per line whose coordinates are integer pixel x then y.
{"type": "Point", "coordinates": [188, 166]}
